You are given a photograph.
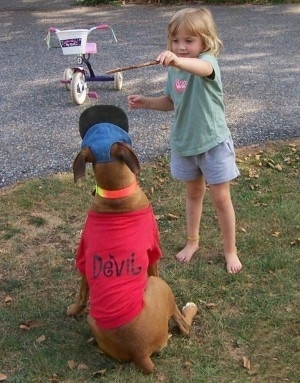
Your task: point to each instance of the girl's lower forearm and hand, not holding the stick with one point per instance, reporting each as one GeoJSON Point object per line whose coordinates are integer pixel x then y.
{"type": "Point", "coordinates": [161, 103]}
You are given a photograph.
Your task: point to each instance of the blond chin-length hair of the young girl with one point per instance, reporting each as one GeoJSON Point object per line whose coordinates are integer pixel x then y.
{"type": "Point", "coordinates": [198, 22]}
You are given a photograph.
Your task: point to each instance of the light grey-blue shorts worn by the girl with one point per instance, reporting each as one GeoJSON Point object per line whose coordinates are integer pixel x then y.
{"type": "Point", "coordinates": [217, 165]}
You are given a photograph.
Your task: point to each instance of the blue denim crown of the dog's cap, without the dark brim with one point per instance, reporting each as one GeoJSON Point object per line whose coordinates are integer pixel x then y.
{"type": "Point", "coordinates": [100, 137]}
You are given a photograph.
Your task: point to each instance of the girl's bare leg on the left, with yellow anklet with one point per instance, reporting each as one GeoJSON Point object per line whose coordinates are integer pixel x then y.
{"type": "Point", "coordinates": [195, 191]}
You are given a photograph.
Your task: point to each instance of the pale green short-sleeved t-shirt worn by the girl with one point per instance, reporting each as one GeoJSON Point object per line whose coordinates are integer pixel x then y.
{"type": "Point", "coordinates": [199, 123]}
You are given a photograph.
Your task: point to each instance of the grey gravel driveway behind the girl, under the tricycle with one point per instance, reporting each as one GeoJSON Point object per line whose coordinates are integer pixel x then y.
{"type": "Point", "coordinates": [39, 123]}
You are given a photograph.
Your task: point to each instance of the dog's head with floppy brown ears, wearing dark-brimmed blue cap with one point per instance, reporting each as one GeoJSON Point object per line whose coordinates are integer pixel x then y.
{"type": "Point", "coordinates": [105, 138]}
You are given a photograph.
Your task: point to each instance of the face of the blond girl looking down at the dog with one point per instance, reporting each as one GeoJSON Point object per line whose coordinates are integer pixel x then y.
{"type": "Point", "coordinates": [185, 45]}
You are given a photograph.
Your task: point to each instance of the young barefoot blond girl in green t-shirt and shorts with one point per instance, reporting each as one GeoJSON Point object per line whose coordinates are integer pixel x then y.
{"type": "Point", "coordinates": [201, 145]}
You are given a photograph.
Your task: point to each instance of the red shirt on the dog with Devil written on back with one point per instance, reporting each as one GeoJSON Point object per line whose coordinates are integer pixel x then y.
{"type": "Point", "coordinates": [114, 254]}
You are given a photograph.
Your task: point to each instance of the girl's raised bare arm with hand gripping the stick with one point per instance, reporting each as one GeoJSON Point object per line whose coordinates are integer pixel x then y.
{"type": "Point", "coordinates": [194, 66]}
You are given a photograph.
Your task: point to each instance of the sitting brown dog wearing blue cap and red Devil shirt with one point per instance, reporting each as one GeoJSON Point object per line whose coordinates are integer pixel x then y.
{"type": "Point", "coordinates": [129, 305]}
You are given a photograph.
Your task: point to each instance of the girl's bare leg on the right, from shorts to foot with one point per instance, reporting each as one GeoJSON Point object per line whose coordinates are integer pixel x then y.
{"type": "Point", "coordinates": [221, 199]}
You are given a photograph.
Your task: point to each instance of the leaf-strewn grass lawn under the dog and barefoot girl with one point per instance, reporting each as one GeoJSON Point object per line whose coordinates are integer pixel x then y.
{"type": "Point", "coordinates": [252, 316]}
